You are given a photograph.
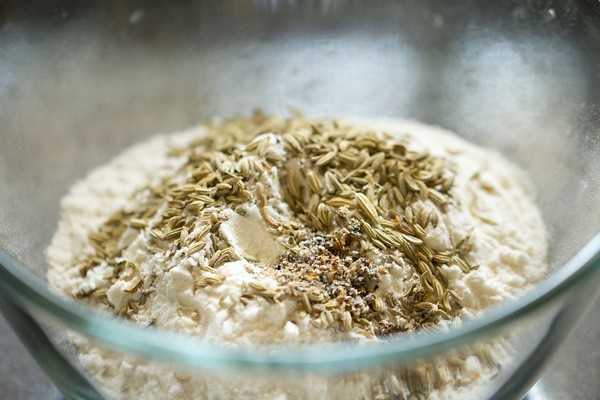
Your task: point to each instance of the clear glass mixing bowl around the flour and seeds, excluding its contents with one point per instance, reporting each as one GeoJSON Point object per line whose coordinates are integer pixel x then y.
{"type": "Point", "coordinates": [80, 81]}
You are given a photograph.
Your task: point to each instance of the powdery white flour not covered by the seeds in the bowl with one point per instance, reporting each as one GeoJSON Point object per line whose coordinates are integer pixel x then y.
{"type": "Point", "coordinates": [491, 204]}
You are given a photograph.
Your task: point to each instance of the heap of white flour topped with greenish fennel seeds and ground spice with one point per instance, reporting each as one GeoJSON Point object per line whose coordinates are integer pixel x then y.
{"type": "Point", "coordinates": [270, 230]}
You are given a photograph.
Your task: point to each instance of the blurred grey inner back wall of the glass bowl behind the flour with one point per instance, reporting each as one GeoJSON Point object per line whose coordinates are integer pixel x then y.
{"type": "Point", "coordinates": [80, 82]}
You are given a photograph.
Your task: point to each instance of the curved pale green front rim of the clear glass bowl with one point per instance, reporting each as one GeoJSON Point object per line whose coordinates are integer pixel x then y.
{"type": "Point", "coordinates": [33, 294]}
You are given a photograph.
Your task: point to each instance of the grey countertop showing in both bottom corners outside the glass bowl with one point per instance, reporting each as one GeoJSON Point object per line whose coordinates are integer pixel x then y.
{"type": "Point", "coordinates": [573, 374]}
